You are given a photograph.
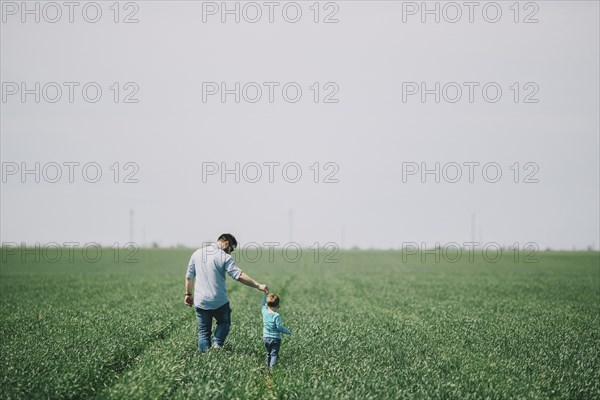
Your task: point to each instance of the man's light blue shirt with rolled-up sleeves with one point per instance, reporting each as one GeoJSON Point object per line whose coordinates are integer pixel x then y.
{"type": "Point", "coordinates": [208, 266]}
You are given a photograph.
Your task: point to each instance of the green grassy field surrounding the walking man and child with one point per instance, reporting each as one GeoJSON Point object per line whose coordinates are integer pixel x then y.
{"type": "Point", "coordinates": [370, 326]}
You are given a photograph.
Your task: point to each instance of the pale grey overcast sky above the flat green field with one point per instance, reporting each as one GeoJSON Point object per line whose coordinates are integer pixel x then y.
{"type": "Point", "coordinates": [370, 131]}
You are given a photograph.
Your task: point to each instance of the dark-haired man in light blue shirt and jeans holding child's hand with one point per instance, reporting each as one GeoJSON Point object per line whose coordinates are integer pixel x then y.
{"type": "Point", "coordinates": [207, 268]}
